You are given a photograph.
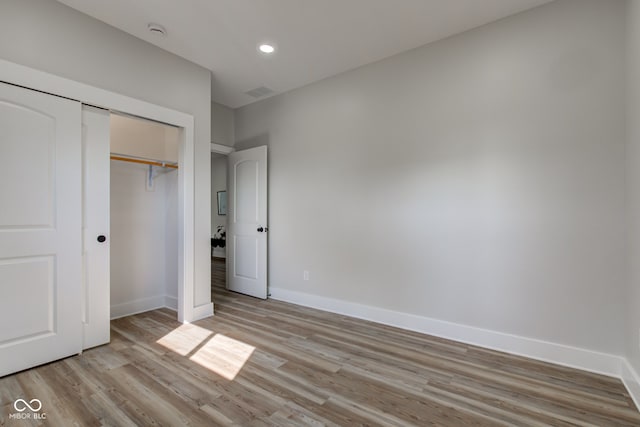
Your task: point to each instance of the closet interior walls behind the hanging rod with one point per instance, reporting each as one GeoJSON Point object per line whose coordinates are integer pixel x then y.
{"type": "Point", "coordinates": [144, 221]}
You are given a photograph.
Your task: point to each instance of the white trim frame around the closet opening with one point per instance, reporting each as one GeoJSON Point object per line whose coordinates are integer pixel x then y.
{"type": "Point", "coordinates": [39, 80]}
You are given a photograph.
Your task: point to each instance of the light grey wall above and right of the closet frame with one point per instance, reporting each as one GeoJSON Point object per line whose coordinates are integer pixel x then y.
{"type": "Point", "coordinates": [51, 37]}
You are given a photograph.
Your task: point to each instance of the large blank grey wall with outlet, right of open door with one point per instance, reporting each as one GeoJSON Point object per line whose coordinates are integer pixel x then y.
{"type": "Point", "coordinates": [477, 180]}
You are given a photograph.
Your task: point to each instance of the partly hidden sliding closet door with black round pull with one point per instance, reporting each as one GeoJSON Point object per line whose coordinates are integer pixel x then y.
{"type": "Point", "coordinates": [95, 226]}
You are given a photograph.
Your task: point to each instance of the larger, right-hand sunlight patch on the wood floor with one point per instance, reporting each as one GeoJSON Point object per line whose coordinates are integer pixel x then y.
{"type": "Point", "coordinates": [223, 355]}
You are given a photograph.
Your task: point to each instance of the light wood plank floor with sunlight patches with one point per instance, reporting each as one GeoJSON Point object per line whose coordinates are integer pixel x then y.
{"type": "Point", "coordinates": [259, 363]}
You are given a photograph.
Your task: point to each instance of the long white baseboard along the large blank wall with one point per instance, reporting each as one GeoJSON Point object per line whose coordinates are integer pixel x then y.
{"type": "Point", "coordinates": [587, 360]}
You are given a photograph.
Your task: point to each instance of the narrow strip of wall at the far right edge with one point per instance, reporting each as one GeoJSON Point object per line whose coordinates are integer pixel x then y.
{"type": "Point", "coordinates": [633, 186]}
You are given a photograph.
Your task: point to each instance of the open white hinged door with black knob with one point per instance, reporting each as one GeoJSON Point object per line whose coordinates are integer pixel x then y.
{"type": "Point", "coordinates": [247, 222]}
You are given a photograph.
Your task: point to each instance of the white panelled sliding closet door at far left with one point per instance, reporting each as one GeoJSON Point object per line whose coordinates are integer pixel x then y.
{"type": "Point", "coordinates": [40, 228]}
